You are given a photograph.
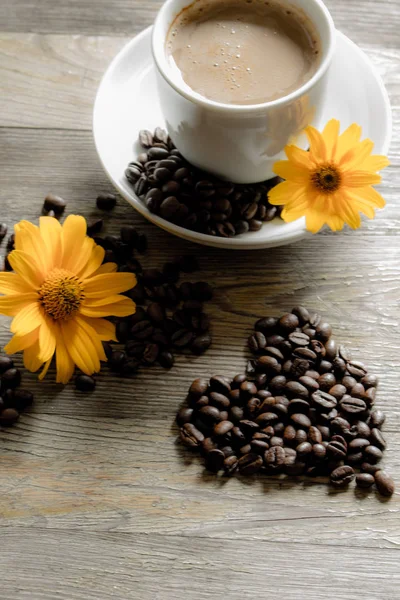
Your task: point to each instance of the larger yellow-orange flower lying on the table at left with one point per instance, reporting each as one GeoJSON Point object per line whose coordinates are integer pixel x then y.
{"type": "Point", "coordinates": [58, 295]}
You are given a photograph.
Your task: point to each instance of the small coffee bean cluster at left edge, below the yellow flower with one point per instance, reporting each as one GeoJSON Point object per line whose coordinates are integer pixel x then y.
{"type": "Point", "coordinates": [13, 399]}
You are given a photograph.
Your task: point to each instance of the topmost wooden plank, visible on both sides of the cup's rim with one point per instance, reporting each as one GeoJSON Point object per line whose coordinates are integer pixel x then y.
{"type": "Point", "coordinates": [367, 21]}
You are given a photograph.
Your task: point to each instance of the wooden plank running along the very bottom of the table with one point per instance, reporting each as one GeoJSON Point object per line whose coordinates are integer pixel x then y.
{"type": "Point", "coordinates": [73, 565]}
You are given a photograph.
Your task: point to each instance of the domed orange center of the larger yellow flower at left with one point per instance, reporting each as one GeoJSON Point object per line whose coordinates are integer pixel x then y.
{"type": "Point", "coordinates": [61, 294]}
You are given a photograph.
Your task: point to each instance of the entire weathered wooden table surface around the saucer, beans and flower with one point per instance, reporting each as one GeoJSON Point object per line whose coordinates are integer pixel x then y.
{"type": "Point", "coordinates": [97, 499]}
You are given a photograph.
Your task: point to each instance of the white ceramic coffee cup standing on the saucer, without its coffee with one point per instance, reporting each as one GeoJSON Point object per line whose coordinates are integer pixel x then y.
{"type": "Point", "coordinates": [240, 143]}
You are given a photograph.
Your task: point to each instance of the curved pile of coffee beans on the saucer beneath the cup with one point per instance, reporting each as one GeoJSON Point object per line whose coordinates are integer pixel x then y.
{"type": "Point", "coordinates": [180, 193]}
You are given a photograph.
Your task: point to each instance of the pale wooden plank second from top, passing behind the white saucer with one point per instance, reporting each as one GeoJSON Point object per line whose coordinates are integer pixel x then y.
{"type": "Point", "coordinates": [51, 80]}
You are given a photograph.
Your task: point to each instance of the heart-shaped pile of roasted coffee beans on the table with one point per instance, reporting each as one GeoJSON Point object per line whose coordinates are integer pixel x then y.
{"type": "Point", "coordinates": [305, 407]}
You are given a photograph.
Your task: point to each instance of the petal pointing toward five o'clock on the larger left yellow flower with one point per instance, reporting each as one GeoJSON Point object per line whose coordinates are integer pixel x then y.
{"type": "Point", "coordinates": [80, 347]}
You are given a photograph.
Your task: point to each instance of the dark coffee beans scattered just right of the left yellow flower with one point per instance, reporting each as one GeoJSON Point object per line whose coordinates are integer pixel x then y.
{"type": "Point", "coordinates": [170, 315]}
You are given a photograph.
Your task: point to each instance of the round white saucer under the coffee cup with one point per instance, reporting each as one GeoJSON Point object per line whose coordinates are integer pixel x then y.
{"type": "Point", "coordinates": [127, 101]}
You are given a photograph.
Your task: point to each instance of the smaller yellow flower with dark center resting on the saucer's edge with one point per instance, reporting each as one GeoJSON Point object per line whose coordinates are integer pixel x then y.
{"type": "Point", "coordinates": [332, 183]}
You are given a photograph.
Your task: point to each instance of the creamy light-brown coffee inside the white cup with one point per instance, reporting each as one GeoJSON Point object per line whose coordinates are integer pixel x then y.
{"type": "Point", "coordinates": [242, 51]}
